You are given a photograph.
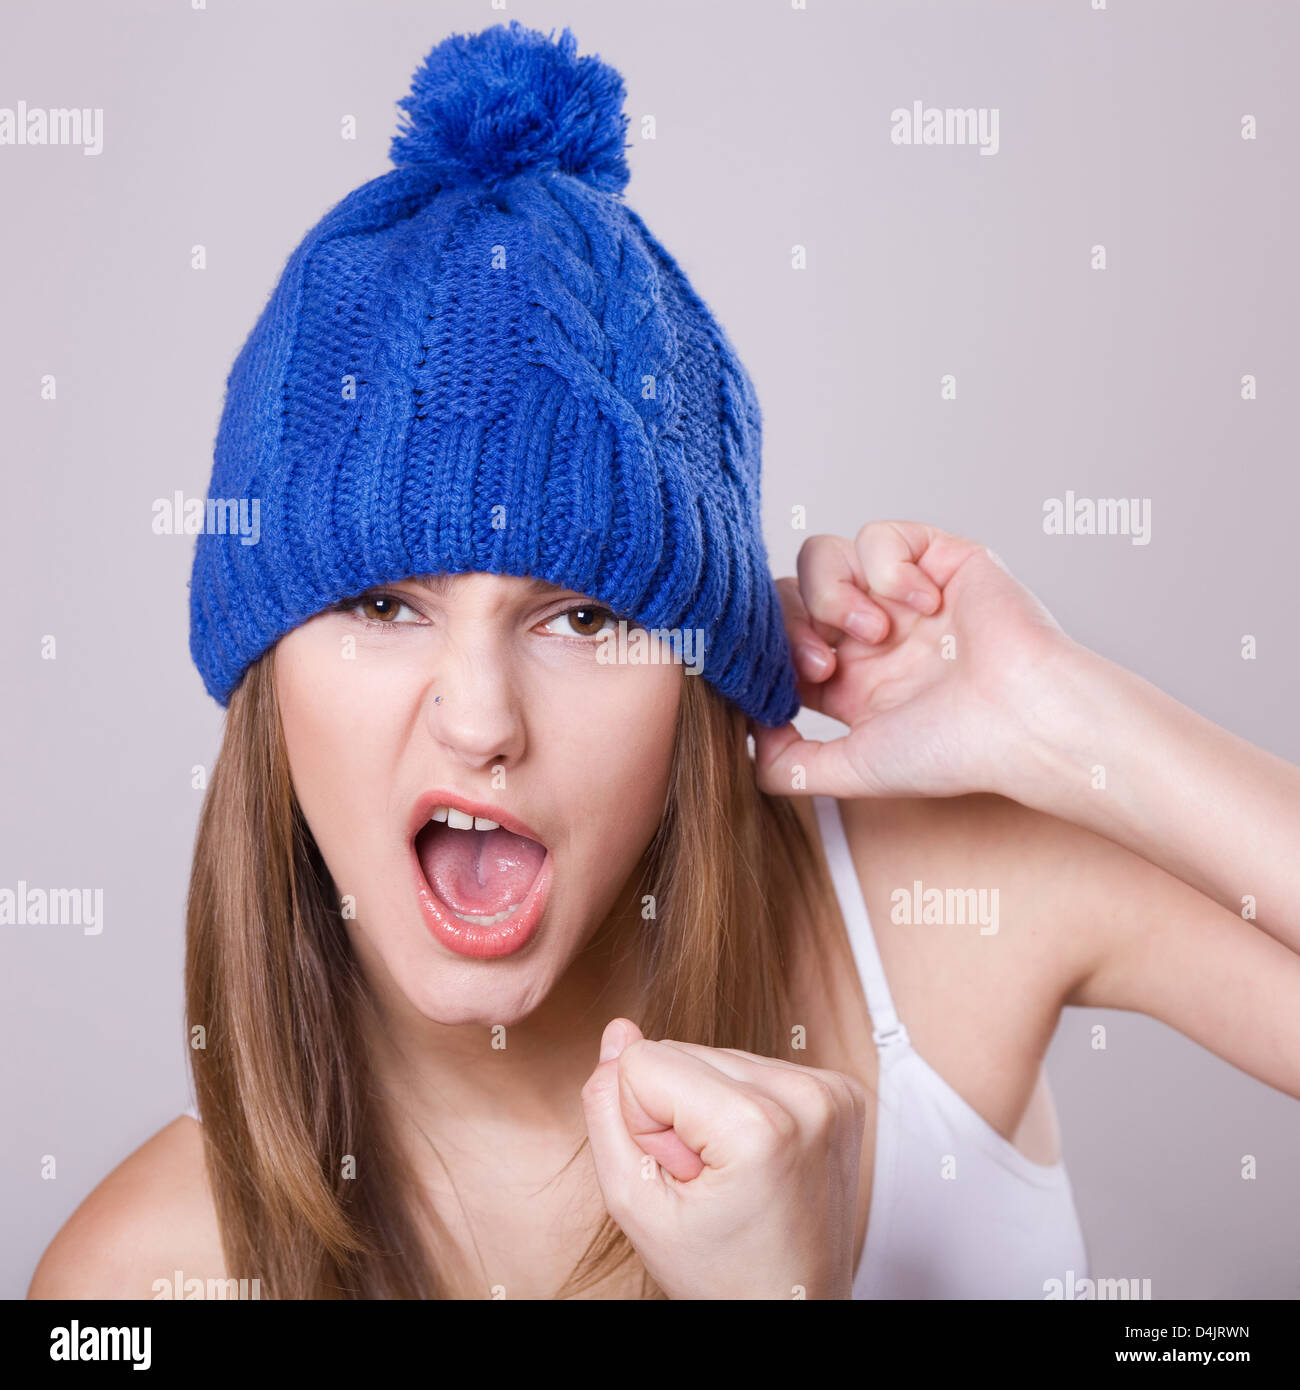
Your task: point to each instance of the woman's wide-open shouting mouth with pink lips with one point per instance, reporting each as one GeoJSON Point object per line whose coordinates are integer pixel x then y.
{"type": "Point", "coordinates": [483, 883]}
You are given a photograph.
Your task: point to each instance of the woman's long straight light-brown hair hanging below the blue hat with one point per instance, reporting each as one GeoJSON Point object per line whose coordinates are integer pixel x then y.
{"type": "Point", "coordinates": [280, 1006]}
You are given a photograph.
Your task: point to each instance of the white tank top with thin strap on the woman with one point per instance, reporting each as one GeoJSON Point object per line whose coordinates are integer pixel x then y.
{"type": "Point", "coordinates": [957, 1210]}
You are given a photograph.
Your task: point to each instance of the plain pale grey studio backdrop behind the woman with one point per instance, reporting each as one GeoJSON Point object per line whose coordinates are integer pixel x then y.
{"type": "Point", "coordinates": [1117, 127]}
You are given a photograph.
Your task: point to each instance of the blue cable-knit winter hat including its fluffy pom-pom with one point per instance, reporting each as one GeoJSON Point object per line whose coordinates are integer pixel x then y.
{"type": "Point", "coordinates": [485, 362]}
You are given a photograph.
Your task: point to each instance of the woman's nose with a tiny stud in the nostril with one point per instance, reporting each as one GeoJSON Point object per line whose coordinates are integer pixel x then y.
{"type": "Point", "coordinates": [473, 710]}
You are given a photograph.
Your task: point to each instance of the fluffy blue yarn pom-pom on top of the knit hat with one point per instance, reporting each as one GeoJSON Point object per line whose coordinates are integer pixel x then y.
{"type": "Point", "coordinates": [507, 101]}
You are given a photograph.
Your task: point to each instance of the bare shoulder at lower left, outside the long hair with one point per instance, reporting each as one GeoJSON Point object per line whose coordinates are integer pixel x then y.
{"type": "Point", "coordinates": [151, 1217]}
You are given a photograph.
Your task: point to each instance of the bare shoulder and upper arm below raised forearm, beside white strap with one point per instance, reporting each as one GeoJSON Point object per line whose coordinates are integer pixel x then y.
{"type": "Point", "coordinates": [1081, 922]}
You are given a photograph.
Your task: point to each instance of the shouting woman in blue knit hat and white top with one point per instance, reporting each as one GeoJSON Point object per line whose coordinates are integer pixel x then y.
{"type": "Point", "coordinates": [511, 974]}
